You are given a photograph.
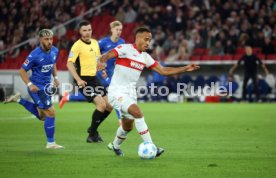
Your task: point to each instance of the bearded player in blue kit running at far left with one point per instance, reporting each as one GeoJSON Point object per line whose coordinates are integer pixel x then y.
{"type": "Point", "coordinates": [42, 62]}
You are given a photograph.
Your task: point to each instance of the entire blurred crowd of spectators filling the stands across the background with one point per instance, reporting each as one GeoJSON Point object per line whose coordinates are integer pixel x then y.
{"type": "Point", "coordinates": [178, 26]}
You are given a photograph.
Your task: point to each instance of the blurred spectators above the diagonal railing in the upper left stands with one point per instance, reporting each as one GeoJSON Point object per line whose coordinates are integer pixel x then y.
{"type": "Point", "coordinates": [21, 20]}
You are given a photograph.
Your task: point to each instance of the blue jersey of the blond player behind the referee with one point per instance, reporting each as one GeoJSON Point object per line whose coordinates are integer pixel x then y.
{"type": "Point", "coordinates": [106, 44]}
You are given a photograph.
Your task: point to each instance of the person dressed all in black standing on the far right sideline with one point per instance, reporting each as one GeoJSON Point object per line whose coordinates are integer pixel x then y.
{"type": "Point", "coordinates": [250, 64]}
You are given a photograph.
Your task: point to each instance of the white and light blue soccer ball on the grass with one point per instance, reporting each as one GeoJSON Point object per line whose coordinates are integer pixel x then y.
{"type": "Point", "coordinates": [147, 150]}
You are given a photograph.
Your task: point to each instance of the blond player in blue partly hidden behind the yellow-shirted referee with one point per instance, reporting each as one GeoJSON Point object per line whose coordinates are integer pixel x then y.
{"type": "Point", "coordinates": [106, 44]}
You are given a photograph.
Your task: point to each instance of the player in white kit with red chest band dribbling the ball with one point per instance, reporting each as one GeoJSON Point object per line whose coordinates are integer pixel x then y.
{"type": "Point", "coordinates": [130, 61]}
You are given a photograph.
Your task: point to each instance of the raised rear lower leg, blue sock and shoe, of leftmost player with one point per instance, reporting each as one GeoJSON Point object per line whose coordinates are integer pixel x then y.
{"type": "Point", "coordinates": [31, 107]}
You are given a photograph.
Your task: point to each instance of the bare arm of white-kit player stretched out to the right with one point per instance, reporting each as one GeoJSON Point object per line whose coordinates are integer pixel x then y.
{"type": "Point", "coordinates": [175, 70]}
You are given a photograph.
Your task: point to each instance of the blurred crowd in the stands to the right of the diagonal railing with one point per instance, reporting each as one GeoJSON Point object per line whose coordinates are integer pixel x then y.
{"type": "Point", "coordinates": [222, 26]}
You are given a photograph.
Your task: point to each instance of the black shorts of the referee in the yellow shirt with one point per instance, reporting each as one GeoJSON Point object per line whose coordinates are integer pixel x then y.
{"type": "Point", "coordinates": [93, 88]}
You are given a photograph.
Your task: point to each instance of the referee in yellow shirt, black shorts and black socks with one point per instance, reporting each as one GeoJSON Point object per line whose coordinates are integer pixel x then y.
{"type": "Point", "coordinates": [82, 64]}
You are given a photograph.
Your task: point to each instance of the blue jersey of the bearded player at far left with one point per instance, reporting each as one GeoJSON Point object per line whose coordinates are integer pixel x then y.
{"type": "Point", "coordinates": [41, 63]}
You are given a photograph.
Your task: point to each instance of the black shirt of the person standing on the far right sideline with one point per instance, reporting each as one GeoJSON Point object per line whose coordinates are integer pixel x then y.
{"type": "Point", "coordinates": [250, 63]}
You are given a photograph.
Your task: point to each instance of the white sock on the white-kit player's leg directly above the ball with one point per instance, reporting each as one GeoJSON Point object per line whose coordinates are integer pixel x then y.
{"type": "Point", "coordinates": [142, 129]}
